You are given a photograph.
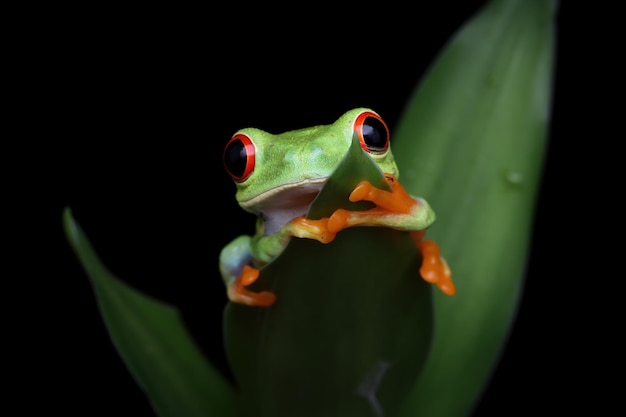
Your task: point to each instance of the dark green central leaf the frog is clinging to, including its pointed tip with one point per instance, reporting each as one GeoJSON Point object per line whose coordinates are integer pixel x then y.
{"type": "Point", "coordinates": [351, 326]}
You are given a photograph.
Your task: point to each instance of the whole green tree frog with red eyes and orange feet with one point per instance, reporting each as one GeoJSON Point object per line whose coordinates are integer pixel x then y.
{"type": "Point", "coordinates": [277, 177]}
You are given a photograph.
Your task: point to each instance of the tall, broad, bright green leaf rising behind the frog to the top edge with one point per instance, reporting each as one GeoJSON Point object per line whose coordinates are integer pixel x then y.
{"type": "Point", "coordinates": [471, 141]}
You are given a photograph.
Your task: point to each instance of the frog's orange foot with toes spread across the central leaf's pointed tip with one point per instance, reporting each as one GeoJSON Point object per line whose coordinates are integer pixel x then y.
{"type": "Point", "coordinates": [396, 203]}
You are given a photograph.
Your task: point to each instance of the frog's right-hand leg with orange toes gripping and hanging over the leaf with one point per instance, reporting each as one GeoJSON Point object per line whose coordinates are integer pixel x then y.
{"type": "Point", "coordinates": [399, 210]}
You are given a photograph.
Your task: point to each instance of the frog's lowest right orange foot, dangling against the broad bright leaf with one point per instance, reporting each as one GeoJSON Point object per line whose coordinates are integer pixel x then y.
{"type": "Point", "coordinates": [434, 267]}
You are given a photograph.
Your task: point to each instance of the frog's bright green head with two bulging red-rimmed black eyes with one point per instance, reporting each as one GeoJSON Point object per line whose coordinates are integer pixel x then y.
{"type": "Point", "coordinates": [280, 175]}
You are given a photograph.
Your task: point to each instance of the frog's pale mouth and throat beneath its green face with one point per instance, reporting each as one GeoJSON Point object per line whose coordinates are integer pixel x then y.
{"type": "Point", "coordinates": [280, 205]}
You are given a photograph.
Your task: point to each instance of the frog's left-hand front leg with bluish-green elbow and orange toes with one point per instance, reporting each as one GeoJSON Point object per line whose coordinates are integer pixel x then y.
{"type": "Point", "coordinates": [240, 260]}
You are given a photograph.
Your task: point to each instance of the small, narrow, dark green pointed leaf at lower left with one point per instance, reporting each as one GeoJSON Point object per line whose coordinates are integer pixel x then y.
{"type": "Point", "coordinates": [151, 339]}
